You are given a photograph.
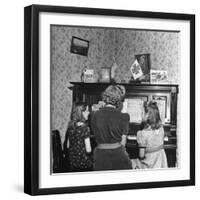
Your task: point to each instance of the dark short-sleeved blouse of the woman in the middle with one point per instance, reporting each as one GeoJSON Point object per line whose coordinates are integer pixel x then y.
{"type": "Point", "coordinates": [109, 124]}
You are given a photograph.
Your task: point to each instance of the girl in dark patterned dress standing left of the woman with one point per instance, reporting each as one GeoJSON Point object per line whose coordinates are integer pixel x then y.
{"type": "Point", "coordinates": [78, 142]}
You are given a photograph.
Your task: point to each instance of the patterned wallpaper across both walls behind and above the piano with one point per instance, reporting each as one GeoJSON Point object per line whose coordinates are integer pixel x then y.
{"type": "Point", "coordinates": [106, 45]}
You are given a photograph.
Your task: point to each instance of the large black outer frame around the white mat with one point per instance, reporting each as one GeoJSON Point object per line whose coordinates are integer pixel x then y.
{"type": "Point", "coordinates": [32, 95]}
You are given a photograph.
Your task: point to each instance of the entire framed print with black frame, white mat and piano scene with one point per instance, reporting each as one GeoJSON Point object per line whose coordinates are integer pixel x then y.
{"type": "Point", "coordinates": [64, 151]}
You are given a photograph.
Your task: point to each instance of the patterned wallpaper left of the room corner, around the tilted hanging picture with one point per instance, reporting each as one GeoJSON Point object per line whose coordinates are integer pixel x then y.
{"type": "Point", "coordinates": [66, 67]}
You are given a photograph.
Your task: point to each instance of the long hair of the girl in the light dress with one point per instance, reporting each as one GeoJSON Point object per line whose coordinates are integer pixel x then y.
{"type": "Point", "coordinates": [153, 120]}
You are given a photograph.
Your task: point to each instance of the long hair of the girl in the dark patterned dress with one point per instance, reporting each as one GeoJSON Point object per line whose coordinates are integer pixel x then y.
{"type": "Point", "coordinates": [77, 113]}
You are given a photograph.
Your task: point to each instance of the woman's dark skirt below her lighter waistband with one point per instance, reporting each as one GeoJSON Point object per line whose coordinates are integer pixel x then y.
{"type": "Point", "coordinates": [111, 159]}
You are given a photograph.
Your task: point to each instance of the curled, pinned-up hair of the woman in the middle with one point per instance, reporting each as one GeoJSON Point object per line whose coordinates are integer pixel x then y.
{"type": "Point", "coordinates": [114, 95]}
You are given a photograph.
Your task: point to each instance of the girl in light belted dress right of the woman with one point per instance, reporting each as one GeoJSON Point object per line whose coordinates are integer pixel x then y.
{"type": "Point", "coordinates": [150, 141]}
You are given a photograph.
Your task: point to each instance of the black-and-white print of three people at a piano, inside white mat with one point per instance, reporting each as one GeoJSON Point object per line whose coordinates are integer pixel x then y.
{"type": "Point", "coordinates": [117, 124]}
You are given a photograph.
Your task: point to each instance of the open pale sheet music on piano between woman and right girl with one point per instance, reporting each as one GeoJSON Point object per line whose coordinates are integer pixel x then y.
{"type": "Point", "coordinates": [134, 107]}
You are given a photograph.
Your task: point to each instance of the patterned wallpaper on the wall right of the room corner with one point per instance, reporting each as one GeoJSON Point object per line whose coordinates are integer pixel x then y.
{"type": "Point", "coordinates": [162, 46]}
